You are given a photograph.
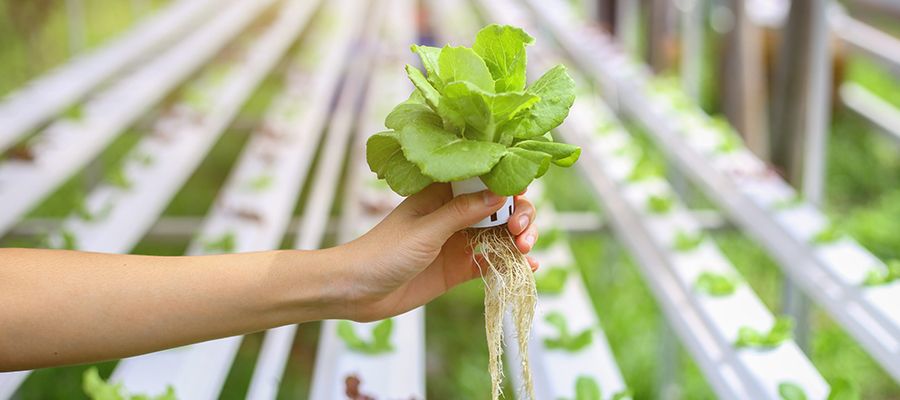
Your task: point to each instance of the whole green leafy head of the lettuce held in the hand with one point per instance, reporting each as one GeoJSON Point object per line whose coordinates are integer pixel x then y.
{"type": "Point", "coordinates": [471, 115]}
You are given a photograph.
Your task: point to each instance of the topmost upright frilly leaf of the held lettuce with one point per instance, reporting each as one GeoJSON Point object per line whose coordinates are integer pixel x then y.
{"type": "Point", "coordinates": [502, 47]}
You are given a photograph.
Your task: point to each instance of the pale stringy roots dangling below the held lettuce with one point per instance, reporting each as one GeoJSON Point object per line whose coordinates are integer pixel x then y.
{"type": "Point", "coordinates": [508, 285]}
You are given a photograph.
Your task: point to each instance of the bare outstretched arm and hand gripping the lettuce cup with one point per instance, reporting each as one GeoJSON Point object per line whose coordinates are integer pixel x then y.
{"type": "Point", "coordinates": [65, 307]}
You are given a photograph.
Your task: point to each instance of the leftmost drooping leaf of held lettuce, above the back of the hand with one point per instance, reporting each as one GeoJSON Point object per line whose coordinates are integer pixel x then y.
{"type": "Point", "coordinates": [386, 159]}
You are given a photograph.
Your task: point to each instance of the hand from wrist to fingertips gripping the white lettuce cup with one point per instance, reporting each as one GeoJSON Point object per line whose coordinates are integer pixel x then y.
{"type": "Point", "coordinates": [420, 250]}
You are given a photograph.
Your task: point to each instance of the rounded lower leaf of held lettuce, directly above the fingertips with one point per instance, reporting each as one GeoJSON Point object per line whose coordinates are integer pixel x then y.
{"type": "Point", "coordinates": [515, 171]}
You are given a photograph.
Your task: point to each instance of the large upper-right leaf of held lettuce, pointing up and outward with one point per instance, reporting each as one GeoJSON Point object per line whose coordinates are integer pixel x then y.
{"type": "Point", "coordinates": [557, 92]}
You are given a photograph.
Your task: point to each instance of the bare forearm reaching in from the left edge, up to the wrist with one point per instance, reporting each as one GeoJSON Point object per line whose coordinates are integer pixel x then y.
{"type": "Point", "coordinates": [62, 307]}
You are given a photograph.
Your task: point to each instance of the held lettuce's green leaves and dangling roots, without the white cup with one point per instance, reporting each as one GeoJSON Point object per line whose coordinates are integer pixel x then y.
{"type": "Point", "coordinates": [472, 118]}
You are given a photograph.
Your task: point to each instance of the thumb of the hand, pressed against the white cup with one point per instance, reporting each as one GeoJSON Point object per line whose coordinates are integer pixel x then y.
{"type": "Point", "coordinates": [460, 212]}
